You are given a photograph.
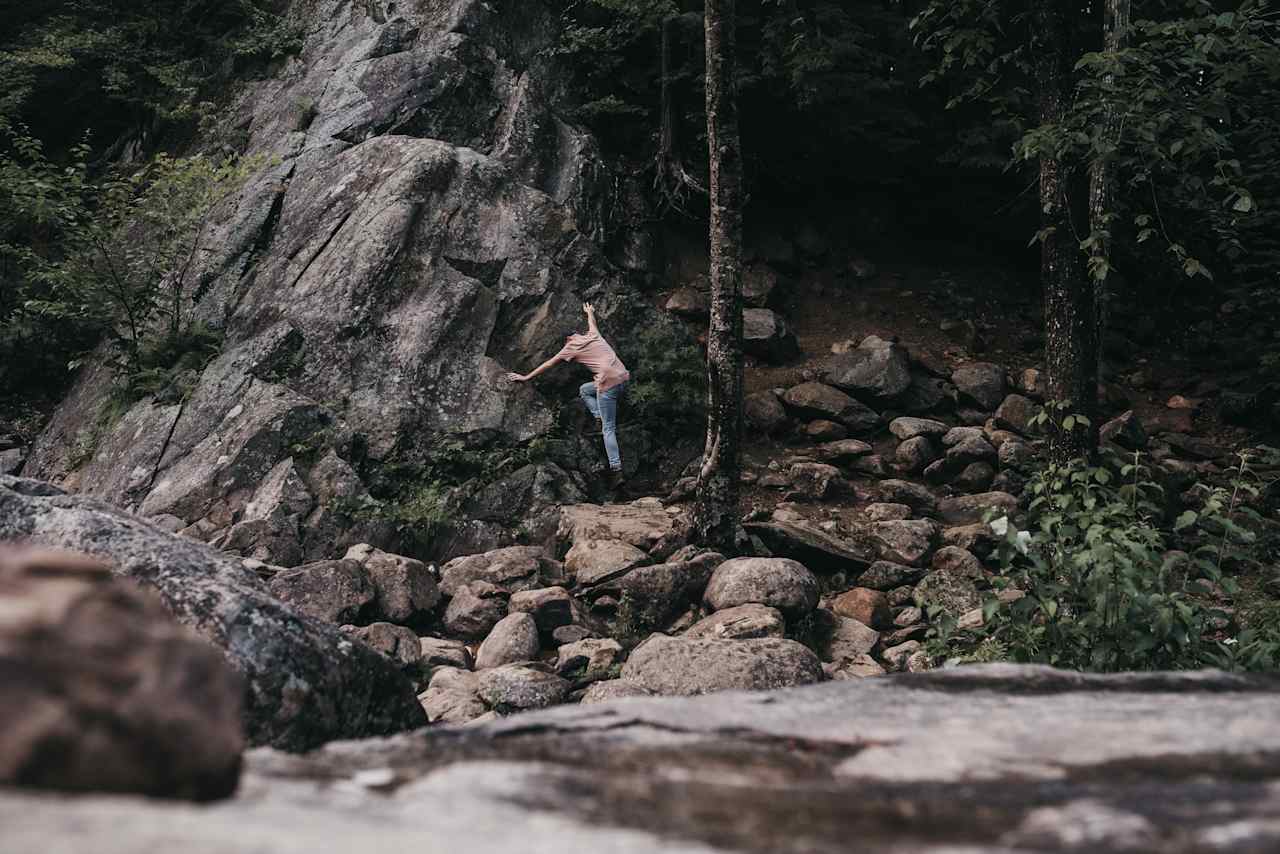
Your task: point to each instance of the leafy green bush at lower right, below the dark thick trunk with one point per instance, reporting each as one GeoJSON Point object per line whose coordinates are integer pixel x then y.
{"type": "Point", "coordinates": [1095, 583]}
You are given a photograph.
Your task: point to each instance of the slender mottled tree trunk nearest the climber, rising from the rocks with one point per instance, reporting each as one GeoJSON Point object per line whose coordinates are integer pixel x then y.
{"type": "Point", "coordinates": [715, 519]}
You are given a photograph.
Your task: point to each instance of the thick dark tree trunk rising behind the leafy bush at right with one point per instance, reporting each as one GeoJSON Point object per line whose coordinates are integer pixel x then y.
{"type": "Point", "coordinates": [1071, 325]}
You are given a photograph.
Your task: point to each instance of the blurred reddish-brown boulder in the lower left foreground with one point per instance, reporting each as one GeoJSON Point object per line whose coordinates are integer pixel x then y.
{"type": "Point", "coordinates": [104, 691]}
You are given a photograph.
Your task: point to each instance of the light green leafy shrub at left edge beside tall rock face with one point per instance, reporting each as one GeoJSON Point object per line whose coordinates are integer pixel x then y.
{"type": "Point", "coordinates": [116, 257]}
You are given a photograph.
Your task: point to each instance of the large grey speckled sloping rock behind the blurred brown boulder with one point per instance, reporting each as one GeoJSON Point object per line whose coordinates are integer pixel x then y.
{"type": "Point", "coordinates": [308, 683]}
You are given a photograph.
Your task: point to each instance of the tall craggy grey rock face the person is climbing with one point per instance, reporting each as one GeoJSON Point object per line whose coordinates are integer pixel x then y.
{"type": "Point", "coordinates": [429, 222]}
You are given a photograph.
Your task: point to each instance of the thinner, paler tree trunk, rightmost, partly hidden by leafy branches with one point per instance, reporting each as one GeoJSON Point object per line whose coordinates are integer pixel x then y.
{"type": "Point", "coordinates": [1116, 25]}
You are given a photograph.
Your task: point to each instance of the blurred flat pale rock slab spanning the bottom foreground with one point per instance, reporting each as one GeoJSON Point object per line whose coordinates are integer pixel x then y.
{"type": "Point", "coordinates": [994, 759]}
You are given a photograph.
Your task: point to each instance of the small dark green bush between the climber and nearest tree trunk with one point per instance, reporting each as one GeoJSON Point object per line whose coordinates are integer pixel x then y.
{"type": "Point", "coordinates": [670, 376]}
